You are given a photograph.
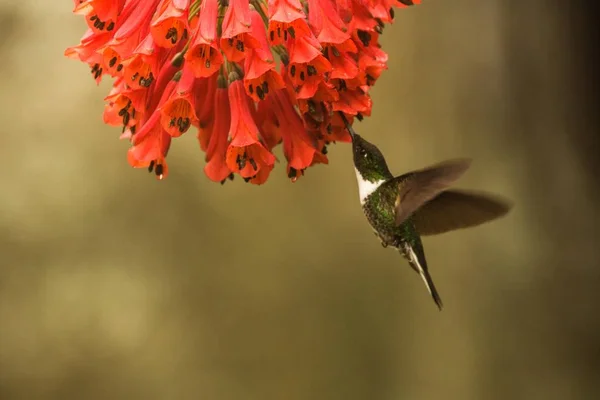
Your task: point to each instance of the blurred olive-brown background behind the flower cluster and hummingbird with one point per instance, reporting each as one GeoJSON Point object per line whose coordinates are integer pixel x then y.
{"type": "Point", "coordinates": [116, 286]}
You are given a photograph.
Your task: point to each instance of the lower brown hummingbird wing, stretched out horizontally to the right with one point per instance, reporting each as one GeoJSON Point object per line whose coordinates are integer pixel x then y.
{"type": "Point", "coordinates": [457, 209]}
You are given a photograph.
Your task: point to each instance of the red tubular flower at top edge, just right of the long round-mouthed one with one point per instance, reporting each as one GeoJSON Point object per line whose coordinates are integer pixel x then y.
{"type": "Point", "coordinates": [236, 38]}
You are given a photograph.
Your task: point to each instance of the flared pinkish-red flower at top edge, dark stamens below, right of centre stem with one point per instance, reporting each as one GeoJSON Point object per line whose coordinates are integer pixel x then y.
{"type": "Point", "coordinates": [286, 19]}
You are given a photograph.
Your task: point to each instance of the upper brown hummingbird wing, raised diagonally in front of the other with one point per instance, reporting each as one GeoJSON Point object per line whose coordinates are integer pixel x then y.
{"type": "Point", "coordinates": [418, 187]}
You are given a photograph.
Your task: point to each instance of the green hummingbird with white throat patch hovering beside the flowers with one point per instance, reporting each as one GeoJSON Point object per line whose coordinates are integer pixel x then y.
{"type": "Point", "coordinates": [419, 203]}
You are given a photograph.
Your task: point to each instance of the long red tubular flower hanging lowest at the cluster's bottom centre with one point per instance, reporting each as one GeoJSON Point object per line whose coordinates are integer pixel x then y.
{"type": "Point", "coordinates": [246, 155]}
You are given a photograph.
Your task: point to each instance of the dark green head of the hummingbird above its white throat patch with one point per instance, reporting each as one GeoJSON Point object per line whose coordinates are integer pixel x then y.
{"type": "Point", "coordinates": [369, 160]}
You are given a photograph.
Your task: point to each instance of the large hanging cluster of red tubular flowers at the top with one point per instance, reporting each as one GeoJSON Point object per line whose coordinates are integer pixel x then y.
{"type": "Point", "coordinates": [247, 74]}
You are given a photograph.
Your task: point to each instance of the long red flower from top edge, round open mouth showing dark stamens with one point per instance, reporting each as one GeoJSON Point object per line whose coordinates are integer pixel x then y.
{"type": "Point", "coordinates": [204, 56]}
